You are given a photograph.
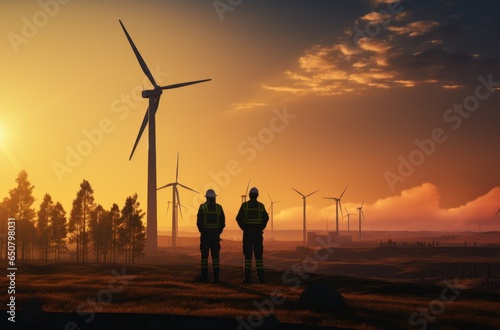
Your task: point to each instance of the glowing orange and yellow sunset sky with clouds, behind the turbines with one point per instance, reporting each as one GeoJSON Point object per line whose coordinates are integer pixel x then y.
{"type": "Point", "coordinates": [398, 100]}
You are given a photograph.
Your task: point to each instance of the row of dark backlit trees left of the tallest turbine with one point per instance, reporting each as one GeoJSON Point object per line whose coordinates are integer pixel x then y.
{"type": "Point", "coordinates": [90, 233]}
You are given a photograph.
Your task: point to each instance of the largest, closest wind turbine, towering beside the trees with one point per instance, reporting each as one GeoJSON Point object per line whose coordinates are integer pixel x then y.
{"type": "Point", "coordinates": [153, 95]}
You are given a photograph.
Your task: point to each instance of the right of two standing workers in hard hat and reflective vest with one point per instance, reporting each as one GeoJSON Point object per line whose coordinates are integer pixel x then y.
{"type": "Point", "coordinates": [252, 219]}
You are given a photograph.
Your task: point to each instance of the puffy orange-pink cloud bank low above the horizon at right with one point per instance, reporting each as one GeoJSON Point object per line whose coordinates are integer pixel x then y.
{"type": "Point", "coordinates": [414, 209]}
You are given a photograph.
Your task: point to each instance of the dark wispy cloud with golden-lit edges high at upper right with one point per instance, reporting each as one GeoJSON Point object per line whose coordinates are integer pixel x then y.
{"type": "Point", "coordinates": [381, 51]}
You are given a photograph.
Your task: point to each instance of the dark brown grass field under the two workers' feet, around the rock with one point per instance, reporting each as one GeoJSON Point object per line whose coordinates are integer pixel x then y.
{"type": "Point", "coordinates": [384, 288]}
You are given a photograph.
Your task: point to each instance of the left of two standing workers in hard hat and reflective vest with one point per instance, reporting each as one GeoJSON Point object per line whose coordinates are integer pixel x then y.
{"type": "Point", "coordinates": [211, 222]}
